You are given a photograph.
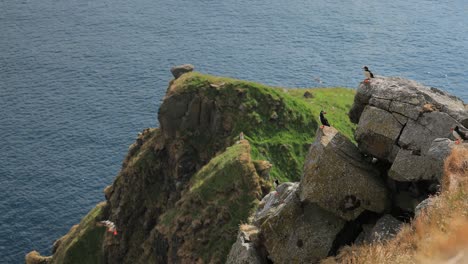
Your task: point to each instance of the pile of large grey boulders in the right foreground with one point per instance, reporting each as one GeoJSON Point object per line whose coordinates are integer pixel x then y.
{"type": "Point", "coordinates": [360, 194]}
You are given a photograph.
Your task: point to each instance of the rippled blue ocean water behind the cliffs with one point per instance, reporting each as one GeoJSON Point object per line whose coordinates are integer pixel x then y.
{"type": "Point", "coordinates": [79, 79]}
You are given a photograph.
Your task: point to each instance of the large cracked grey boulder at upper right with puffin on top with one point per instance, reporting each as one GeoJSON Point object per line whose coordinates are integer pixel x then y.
{"type": "Point", "coordinates": [398, 119]}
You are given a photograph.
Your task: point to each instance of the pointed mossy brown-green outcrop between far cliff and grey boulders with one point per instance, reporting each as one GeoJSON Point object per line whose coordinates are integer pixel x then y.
{"type": "Point", "coordinates": [220, 197]}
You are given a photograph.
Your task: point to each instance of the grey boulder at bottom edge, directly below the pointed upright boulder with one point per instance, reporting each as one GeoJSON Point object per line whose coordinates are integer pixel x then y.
{"type": "Point", "coordinates": [295, 232]}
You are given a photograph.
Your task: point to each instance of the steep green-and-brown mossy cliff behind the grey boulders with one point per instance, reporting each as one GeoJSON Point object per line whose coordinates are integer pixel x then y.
{"type": "Point", "coordinates": [185, 187]}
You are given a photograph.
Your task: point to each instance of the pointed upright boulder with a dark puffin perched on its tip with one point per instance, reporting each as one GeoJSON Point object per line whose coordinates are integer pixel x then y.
{"type": "Point", "coordinates": [338, 179]}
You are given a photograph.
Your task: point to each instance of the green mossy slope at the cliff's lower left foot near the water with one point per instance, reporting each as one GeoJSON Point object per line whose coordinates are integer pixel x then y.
{"type": "Point", "coordinates": [83, 244]}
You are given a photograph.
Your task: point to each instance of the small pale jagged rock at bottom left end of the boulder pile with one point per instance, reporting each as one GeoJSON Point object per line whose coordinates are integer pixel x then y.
{"type": "Point", "coordinates": [244, 250]}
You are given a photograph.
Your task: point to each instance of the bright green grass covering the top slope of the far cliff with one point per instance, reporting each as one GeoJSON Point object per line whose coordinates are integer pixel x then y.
{"type": "Point", "coordinates": [279, 123]}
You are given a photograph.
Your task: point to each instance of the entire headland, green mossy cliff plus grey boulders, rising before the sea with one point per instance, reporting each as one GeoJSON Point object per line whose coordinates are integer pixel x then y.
{"type": "Point", "coordinates": [194, 191]}
